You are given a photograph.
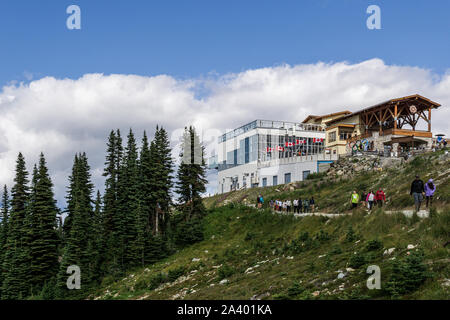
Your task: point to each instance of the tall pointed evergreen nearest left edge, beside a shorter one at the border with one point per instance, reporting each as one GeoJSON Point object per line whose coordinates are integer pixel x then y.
{"type": "Point", "coordinates": [16, 269]}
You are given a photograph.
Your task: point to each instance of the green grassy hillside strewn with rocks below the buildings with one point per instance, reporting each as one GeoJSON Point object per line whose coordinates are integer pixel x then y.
{"type": "Point", "coordinates": [249, 253]}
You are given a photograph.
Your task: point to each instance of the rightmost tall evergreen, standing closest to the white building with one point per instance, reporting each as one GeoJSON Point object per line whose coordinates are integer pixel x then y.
{"type": "Point", "coordinates": [190, 186]}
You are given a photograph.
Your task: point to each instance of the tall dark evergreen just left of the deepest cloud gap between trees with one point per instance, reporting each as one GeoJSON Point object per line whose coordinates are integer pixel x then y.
{"type": "Point", "coordinates": [44, 244]}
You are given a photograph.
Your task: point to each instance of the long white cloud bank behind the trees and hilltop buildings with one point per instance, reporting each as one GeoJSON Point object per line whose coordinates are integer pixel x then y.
{"type": "Point", "coordinates": [63, 116]}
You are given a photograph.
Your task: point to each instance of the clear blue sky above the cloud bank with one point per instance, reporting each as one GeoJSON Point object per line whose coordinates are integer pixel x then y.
{"type": "Point", "coordinates": [198, 37]}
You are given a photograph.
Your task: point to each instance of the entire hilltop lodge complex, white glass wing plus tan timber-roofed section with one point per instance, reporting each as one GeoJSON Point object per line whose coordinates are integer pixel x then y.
{"type": "Point", "coordinates": [267, 153]}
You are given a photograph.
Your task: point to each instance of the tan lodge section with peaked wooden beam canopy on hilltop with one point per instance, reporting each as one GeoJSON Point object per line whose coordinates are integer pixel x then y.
{"type": "Point", "coordinates": [394, 126]}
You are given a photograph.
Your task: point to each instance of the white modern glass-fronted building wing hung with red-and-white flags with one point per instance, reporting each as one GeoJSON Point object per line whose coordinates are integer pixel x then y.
{"type": "Point", "coordinates": [266, 153]}
